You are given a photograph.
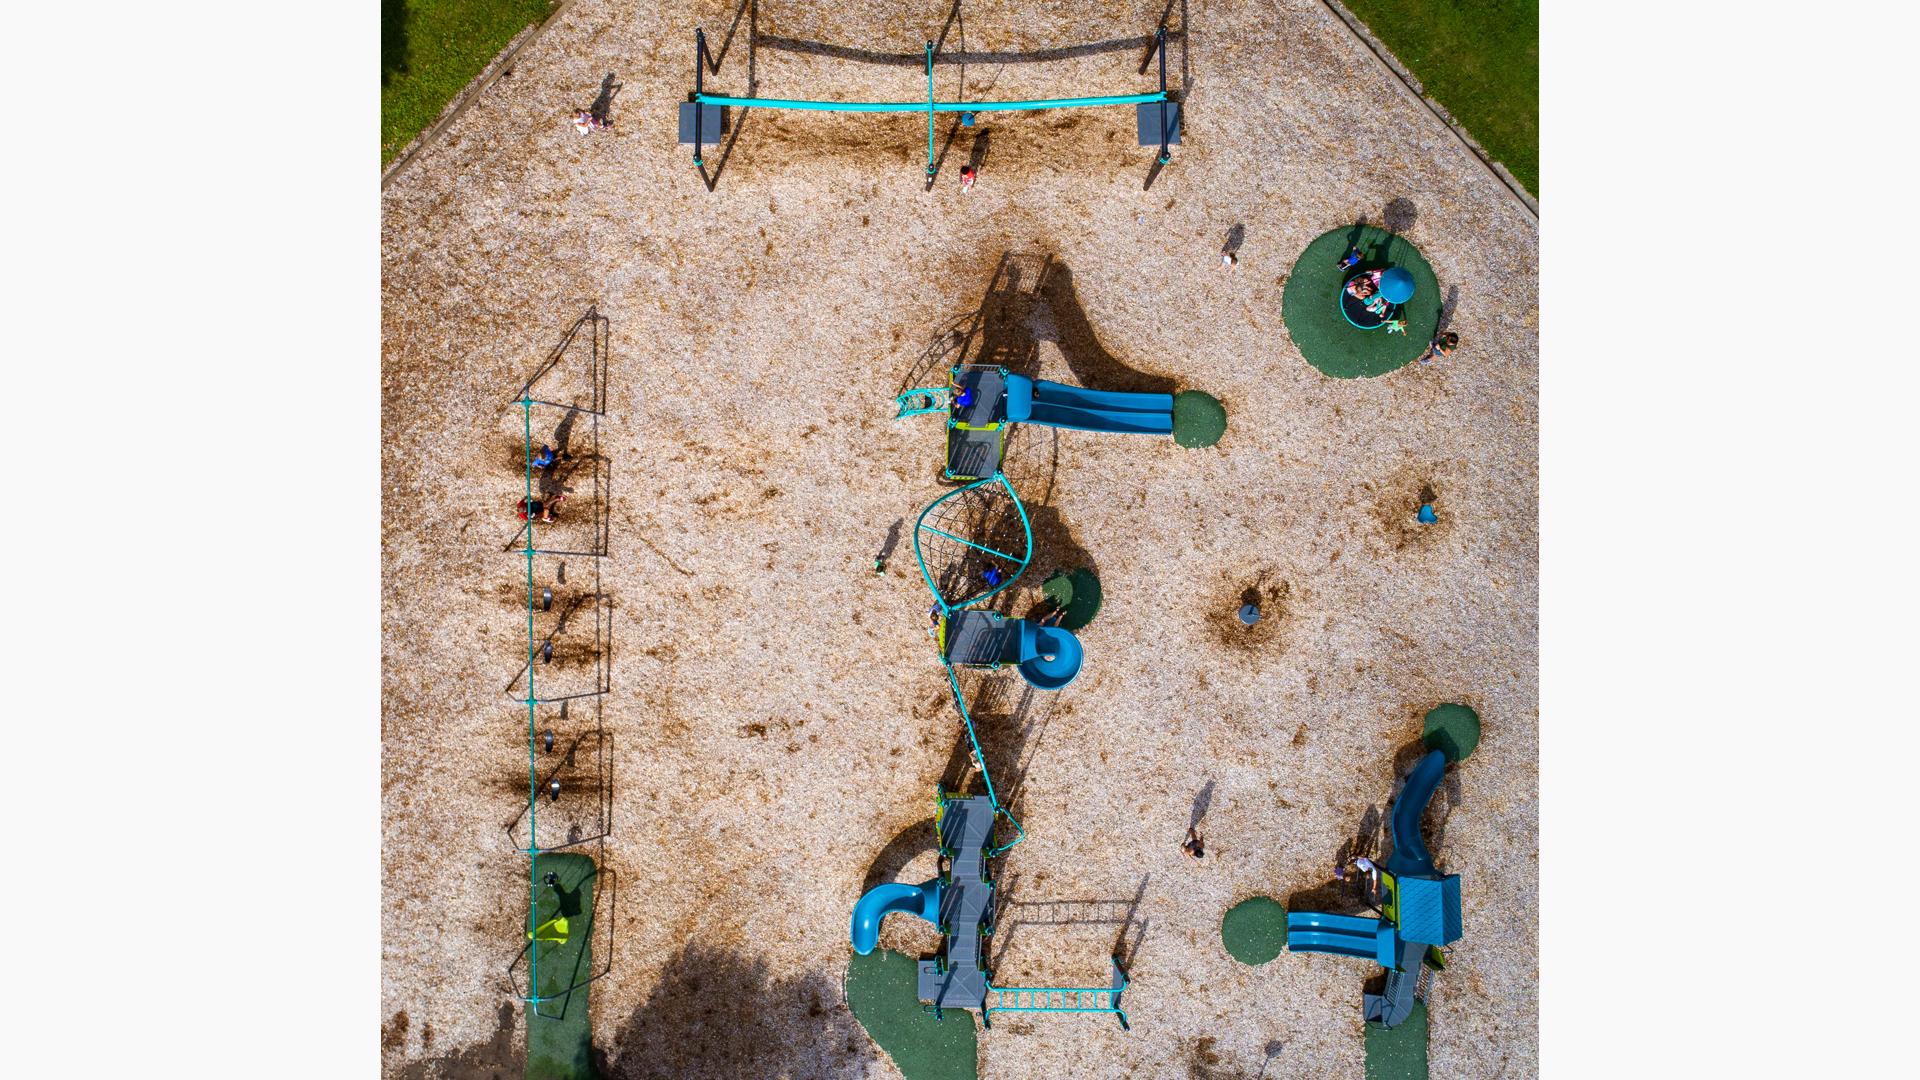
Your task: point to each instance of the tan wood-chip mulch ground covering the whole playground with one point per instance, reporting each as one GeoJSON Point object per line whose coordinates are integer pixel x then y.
{"type": "Point", "coordinates": [777, 718]}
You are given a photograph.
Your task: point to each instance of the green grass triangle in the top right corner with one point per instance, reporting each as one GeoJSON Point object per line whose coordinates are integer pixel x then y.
{"type": "Point", "coordinates": [1481, 61]}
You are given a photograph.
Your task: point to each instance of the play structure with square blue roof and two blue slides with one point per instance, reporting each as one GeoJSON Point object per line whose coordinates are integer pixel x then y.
{"type": "Point", "coordinates": [1420, 910]}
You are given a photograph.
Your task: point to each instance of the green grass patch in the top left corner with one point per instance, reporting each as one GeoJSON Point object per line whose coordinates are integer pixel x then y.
{"type": "Point", "coordinates": [433, 49]}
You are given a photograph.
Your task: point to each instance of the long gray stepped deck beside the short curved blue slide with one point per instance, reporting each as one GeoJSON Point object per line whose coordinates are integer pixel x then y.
{"type": "Point", "coordinates": [959, 981]}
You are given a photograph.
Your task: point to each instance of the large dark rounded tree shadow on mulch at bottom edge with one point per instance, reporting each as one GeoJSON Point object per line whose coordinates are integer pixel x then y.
{"type": "Point", "coordinates": [719, 1016]}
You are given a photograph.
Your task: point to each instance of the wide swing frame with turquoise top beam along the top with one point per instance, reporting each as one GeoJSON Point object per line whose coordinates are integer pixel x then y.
{"type": "Point", "coordinates": [704, 116]}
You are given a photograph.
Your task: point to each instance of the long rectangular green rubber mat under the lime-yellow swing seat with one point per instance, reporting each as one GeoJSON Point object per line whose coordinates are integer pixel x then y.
{"type": "Point", "coordinates": [560, 1043]}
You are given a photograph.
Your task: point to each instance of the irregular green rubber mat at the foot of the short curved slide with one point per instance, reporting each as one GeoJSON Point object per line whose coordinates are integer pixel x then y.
{"type": "Point", "coordinates": [884, 996]}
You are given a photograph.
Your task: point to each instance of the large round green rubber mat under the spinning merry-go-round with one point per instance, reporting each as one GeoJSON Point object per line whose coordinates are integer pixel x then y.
{"type": "Point", "coordinates": [1312, 305]}
